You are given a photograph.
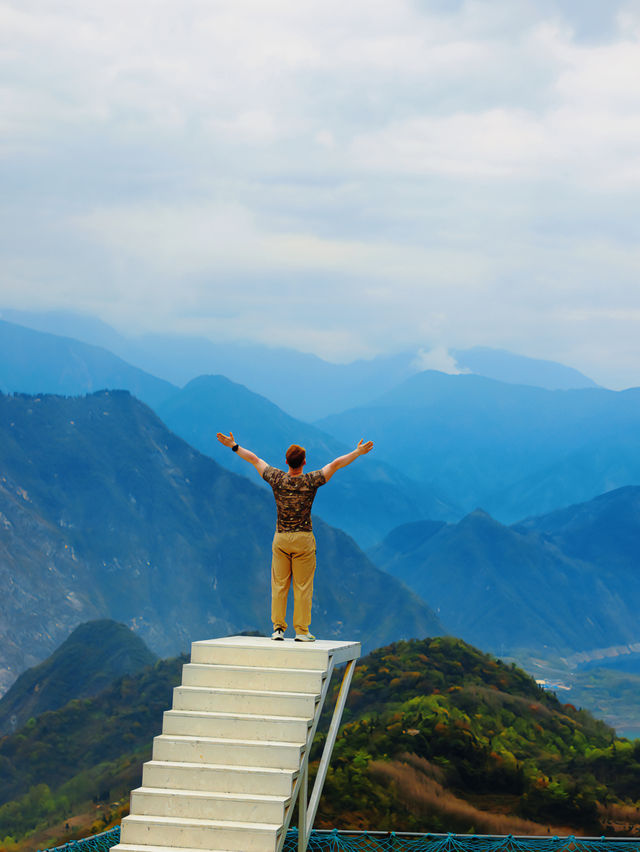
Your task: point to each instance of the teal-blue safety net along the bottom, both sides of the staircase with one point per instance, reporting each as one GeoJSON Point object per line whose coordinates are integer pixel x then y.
{"type": "Point", "coordinates": [384, 841]}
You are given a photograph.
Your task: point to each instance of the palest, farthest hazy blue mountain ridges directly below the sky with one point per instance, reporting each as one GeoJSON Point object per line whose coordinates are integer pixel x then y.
{"type": "Point", "coordinates": [305, 386]}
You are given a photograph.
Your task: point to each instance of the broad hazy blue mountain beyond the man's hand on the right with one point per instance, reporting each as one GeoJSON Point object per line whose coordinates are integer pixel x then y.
{"type": "Point", "coordinates": [514, 450]}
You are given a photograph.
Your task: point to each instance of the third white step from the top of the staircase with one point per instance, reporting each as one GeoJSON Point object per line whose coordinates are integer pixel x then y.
{"type": "Point", "coordinates": [223, 700]}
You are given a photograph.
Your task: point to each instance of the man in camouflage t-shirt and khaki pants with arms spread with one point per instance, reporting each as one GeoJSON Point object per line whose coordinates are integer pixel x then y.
{"type": "Point", "coordinates": [294, 545]}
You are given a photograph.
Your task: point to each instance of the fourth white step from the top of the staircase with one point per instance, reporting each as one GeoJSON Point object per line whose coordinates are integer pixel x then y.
{"type": "Point", "coordinates": [236, 726]}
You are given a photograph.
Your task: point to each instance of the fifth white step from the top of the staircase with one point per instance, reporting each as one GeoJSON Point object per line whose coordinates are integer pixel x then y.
{"type": "Point", "coordinates": [266, 753]}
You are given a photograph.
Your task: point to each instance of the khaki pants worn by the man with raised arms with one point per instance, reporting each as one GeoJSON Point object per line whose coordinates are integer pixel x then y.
{"type": "Point", "coordinates": [294, 558]}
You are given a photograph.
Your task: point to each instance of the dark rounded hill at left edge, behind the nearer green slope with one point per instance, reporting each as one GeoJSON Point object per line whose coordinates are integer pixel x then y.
{"type": "Point", "coordinates": [93, 656]}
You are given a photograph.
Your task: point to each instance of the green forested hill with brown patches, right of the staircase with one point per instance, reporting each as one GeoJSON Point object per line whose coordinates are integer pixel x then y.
{"type": "Point", "coordinates": [439, 733]}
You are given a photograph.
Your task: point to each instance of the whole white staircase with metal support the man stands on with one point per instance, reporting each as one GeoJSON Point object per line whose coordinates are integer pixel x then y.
{"type": "Point", "coordinates": [232, 756]}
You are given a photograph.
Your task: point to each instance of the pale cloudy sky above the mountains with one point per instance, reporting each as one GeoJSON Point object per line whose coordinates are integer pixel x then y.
{"type": "Point", "coordinates": [347, 179]}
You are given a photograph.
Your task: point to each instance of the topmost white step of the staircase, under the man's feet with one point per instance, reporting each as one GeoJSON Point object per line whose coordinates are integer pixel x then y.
{"type": "Point", "coordinates": [286, 654]}
